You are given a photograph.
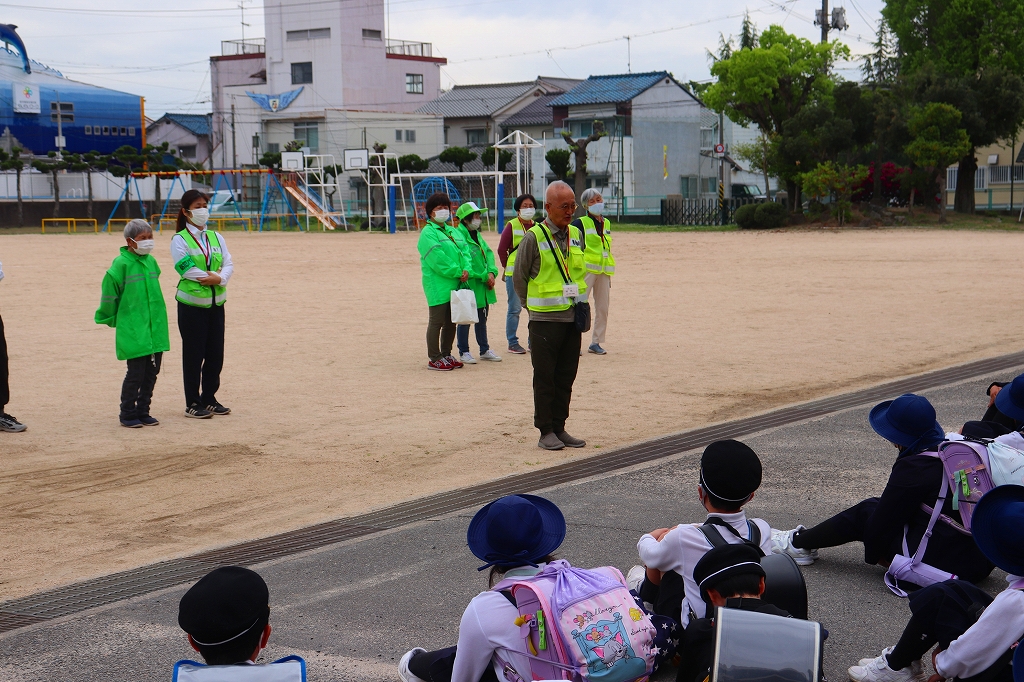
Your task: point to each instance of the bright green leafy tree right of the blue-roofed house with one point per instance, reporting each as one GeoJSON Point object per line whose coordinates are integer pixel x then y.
{"type": "Point", "coordinates": [770, 84]}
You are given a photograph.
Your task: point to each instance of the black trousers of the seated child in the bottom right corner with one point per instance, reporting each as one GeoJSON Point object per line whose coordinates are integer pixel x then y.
{"type": "Point", "coordinates": [942, 614]}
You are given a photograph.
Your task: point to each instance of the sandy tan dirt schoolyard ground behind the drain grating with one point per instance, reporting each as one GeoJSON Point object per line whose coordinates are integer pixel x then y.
{"type": "Point", "coordinates": [335, 412]}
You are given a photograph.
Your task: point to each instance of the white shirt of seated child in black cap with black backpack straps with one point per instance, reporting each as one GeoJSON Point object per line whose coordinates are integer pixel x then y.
{"type": "Point", "coordinates": [682, 547]}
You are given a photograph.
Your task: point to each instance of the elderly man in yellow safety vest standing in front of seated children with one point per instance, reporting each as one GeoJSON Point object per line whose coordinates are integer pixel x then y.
{"type": "Point", "coordinates": [550, 278]}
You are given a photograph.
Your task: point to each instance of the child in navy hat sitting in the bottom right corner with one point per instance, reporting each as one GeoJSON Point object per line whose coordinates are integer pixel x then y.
{"type": "Point", "coordinates": [948, 614]}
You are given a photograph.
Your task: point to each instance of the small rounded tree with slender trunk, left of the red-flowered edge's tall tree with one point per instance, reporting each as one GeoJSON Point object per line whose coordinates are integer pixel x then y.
{"type": "Point", "coordinates": [937, 141]}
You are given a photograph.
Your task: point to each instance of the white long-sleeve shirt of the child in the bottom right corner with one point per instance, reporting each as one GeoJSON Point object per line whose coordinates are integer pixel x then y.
{"type": "Point", "coordinates": [1001, 625]}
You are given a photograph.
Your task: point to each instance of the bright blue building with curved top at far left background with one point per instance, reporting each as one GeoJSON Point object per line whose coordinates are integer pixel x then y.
{"type": "Point", "coordinates": [33, 96]}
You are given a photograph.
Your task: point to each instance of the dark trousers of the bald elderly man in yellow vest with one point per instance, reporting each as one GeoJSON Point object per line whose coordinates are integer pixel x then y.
{"type": "Point", "coordinates": [556, 352]}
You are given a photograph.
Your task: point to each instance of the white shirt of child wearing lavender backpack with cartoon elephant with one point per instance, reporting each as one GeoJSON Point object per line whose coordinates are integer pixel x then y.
{"type": "Point", "coordinates": [489, 626]}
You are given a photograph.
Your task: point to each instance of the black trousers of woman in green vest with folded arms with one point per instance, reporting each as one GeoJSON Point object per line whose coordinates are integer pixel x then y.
{"type": "Point", "coordinates": [202, 352]}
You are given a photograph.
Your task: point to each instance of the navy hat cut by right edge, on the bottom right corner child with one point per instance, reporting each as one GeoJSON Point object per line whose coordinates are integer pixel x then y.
{"type": "Point", "coordinates": [998, 526]}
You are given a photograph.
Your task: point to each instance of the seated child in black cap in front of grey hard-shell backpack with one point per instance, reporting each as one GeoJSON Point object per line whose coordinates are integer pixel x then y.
{"type": "Point", "coordinates": [730, 577]}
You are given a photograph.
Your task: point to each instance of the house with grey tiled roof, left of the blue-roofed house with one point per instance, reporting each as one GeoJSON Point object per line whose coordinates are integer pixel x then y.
{"type": "Point", "coordinates": [476, 115]}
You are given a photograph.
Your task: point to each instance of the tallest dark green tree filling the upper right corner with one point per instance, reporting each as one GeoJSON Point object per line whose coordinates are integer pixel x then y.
{"type": "Point", "coordinates": [968, 54]}
